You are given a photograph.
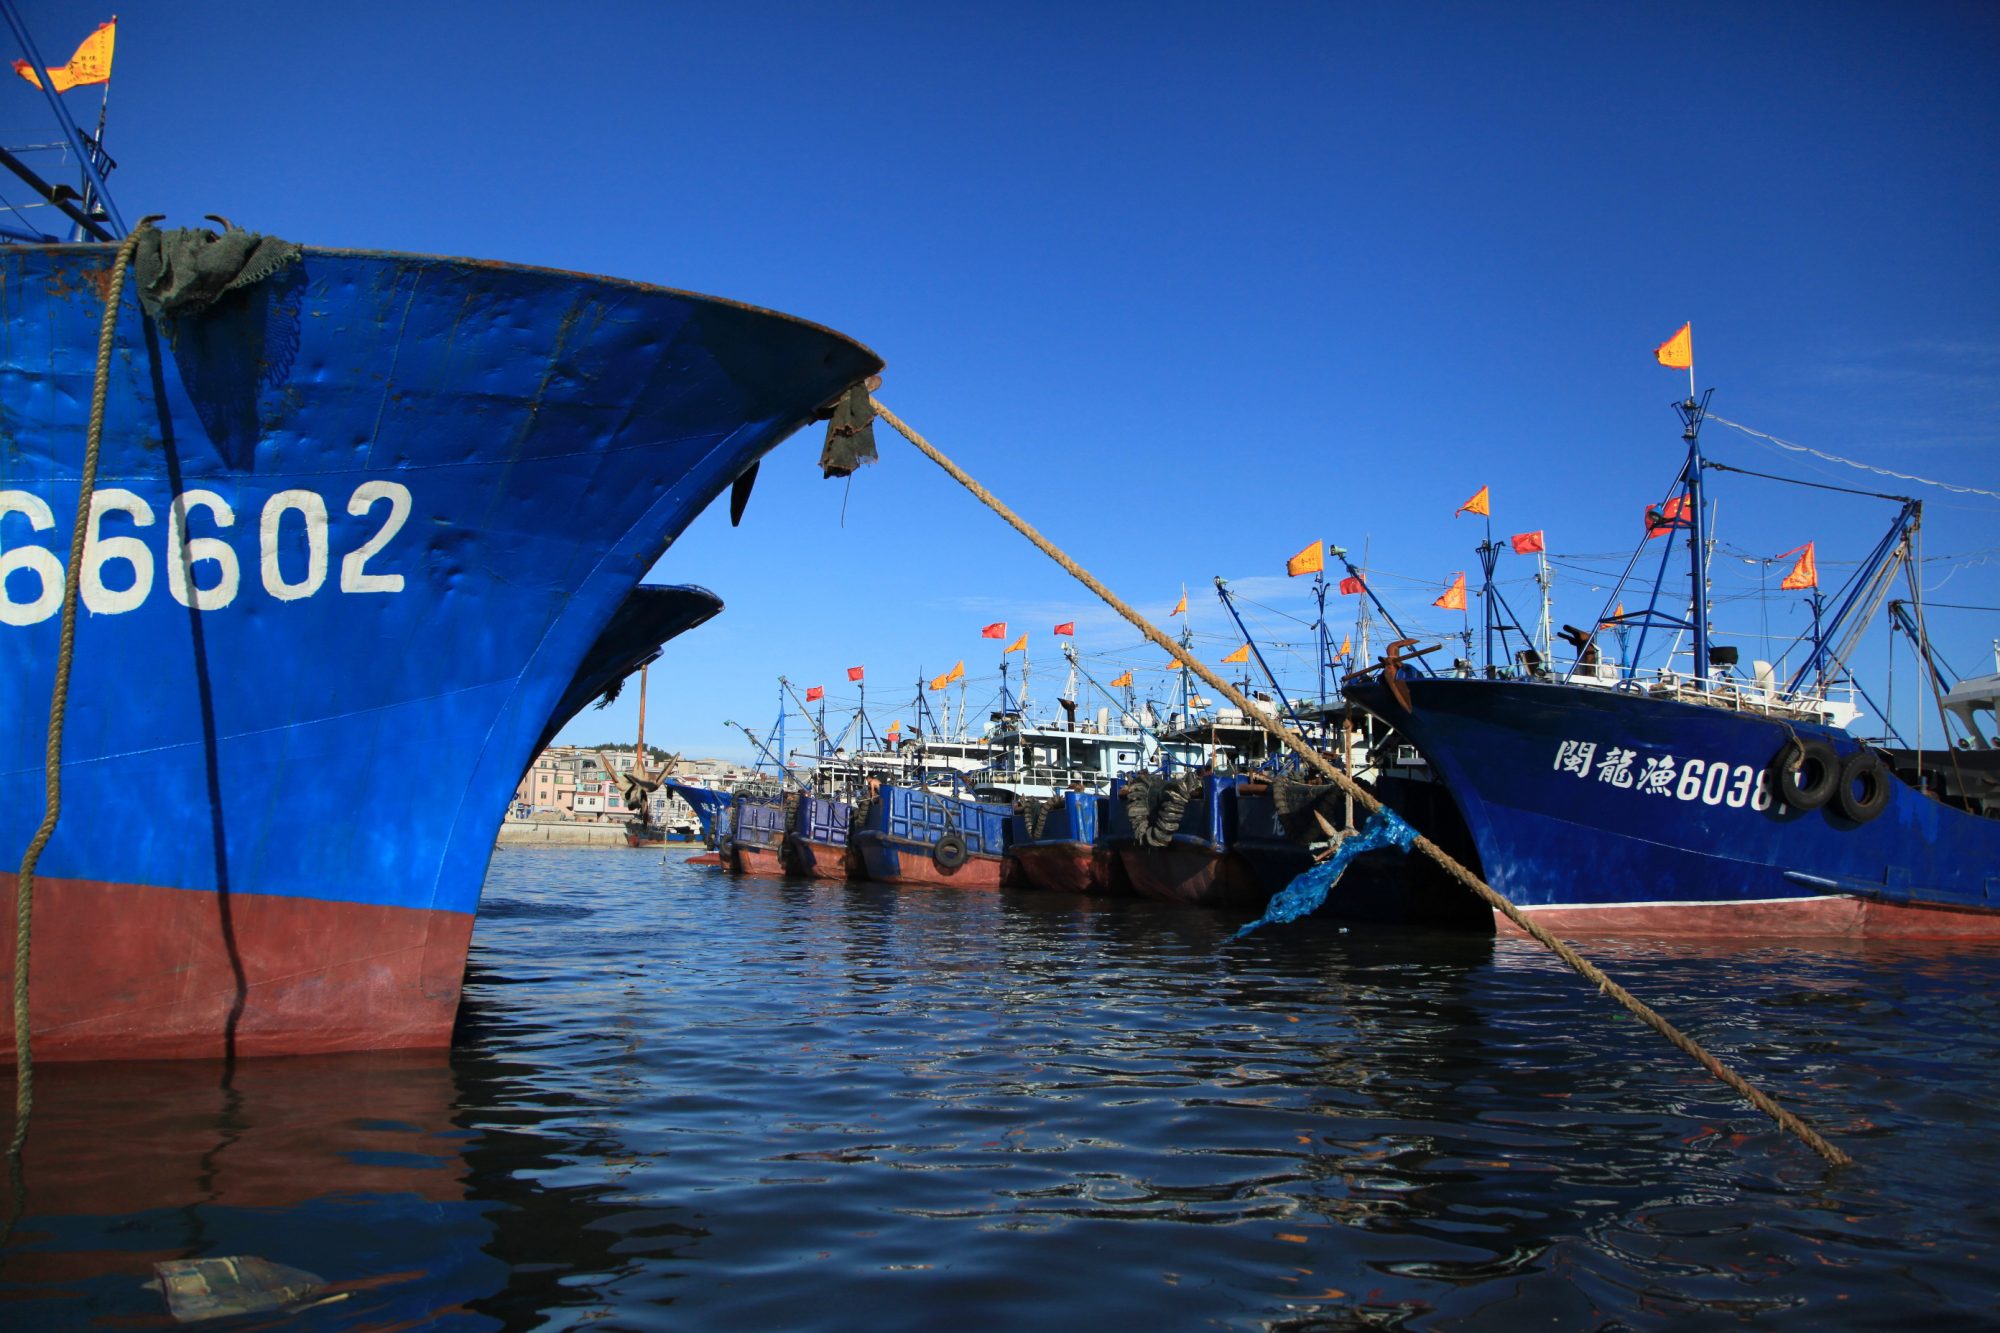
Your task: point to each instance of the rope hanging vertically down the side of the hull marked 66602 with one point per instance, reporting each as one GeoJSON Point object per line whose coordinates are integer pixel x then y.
{"type": "Point", "coordinates": [61, 698]}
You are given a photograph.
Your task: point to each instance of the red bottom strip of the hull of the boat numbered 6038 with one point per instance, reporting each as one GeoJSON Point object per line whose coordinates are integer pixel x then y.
{"type": "Point", "coordinates": [1827, 918]}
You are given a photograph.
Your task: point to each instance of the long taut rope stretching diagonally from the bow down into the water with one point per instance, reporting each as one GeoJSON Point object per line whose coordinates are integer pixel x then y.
{"type": "Point", "coordinates": [1369, 802]}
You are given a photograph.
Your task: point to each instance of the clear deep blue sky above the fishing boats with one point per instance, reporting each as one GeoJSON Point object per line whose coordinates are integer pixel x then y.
{"type": "Point", "coordinates": [1189, 287]}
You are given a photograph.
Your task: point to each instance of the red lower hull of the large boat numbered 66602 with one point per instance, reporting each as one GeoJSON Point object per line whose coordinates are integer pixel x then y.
{"type": "Point", "coordinates": [137, 972]}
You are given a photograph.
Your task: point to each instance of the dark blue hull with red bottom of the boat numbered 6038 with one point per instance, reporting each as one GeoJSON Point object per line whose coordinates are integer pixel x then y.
{"type": "Point", "coordinates": [1617, 812]}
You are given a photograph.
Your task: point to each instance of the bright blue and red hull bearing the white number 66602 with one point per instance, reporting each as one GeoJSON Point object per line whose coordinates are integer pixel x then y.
{"type": "Point", "coordinates": [359, 529]}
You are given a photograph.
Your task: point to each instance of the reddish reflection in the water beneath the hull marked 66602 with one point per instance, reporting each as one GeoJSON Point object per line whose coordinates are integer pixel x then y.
{"type": "Point", "coordinates": [349, 1168]}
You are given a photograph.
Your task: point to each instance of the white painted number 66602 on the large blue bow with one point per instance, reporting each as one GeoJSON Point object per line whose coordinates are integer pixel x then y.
{"type": "Point", "coordinates": [201, 571]}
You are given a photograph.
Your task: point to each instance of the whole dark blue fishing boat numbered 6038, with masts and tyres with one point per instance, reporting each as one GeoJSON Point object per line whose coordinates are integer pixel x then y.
{"type": "Point", "coordinates": [1697, 800]}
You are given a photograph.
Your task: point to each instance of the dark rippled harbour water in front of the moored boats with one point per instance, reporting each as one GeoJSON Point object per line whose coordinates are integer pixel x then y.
{"type": "Point", "coordinates": [685, 1102]}
